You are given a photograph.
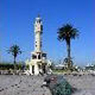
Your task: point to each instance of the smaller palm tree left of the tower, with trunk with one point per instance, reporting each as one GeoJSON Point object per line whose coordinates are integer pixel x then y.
{"type": "Point", "coordinates": [15, 51]}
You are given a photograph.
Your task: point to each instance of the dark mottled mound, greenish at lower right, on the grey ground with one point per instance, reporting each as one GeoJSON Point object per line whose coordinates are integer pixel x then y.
{"type": "Point", "coordinates": [58, 85]}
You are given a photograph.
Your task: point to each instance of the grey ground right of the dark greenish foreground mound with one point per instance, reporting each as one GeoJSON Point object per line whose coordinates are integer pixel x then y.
{"type": "Point", "coordinates": [85, 84]}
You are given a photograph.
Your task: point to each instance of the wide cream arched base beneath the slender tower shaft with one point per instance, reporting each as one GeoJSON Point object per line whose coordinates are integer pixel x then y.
{"type": "Point", "coordinates": [38, 63]}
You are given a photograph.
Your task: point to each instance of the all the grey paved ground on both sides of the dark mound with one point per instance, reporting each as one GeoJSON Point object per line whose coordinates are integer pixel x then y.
{"type": "Point", "coordinates": [31, 85]}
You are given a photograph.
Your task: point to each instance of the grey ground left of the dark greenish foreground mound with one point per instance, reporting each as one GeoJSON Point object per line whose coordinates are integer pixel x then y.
{"type": "Point", "coordinates": [22, 85]}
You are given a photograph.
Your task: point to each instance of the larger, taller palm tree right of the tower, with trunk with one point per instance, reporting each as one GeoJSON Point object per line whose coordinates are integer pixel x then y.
{"type": "Point", "coordinates": [67, 32]}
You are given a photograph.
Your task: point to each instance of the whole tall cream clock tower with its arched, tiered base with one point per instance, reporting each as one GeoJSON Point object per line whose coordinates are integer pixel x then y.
{"type": "Point", "coordinates": [38, 62]}
